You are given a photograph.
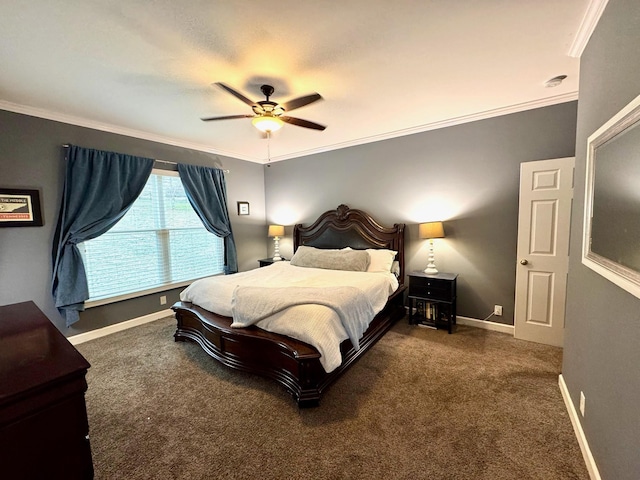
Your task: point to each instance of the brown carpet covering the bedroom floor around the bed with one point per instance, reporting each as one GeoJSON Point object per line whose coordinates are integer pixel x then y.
{"type": "Point", "coordinates": [421, 404]}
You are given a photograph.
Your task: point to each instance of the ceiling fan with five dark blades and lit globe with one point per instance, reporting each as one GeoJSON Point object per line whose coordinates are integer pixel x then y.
{"type": "Point", "coordinates": [269, 116]}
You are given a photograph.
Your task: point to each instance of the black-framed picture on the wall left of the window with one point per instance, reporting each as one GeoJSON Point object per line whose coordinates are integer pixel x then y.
{"type": "Point", "coordinates": [20, 208]}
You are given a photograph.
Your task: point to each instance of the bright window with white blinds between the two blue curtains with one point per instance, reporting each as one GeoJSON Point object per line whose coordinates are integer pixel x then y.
{"type": "Point", "coordinates": [159, 243]}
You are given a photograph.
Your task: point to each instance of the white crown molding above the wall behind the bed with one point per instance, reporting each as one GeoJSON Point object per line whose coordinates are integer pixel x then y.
{"type": "Point", "coordinates": [497, 112]}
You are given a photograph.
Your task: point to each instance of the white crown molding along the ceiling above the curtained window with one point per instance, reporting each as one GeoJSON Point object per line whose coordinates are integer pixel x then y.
{"type": "Point", "coordinates": [129, 132]}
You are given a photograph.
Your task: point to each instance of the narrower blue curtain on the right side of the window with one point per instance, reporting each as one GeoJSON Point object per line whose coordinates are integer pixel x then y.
{"type": "Point", "coordinates": [207, 193]}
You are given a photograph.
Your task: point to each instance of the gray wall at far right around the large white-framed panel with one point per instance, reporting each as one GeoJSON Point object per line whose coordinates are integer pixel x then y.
{"type": "Point", "coordinates": [602, 339]}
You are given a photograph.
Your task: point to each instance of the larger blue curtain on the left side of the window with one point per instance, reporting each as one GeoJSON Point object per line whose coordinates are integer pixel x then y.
{"type": "Point", "coordinates": [99, 189]}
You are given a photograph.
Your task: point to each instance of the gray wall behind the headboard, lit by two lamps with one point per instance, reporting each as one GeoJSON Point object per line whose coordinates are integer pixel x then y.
{"type": "Point", "coordinates": [467, 176]}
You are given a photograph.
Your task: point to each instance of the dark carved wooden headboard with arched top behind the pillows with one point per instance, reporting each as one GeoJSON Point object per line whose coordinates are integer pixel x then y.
{"type": "Point", "coordinates": [345, 227]}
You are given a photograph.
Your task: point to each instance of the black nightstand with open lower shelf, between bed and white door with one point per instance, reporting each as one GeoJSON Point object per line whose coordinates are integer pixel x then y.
{"type": "Point", "coordinates": [433, 296]}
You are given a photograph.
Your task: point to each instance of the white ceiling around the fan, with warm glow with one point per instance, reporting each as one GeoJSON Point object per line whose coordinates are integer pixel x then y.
{"type": "Point", "coordinates": [145, 68]}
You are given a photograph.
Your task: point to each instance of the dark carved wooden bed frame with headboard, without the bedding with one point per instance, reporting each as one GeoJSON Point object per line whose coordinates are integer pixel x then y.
{"type": "Point", "coordinates": [295, 364]}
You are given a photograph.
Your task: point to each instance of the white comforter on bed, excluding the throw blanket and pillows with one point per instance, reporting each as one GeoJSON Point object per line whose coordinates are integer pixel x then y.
{"type": "Point", "coordinates": [318, 325]}
